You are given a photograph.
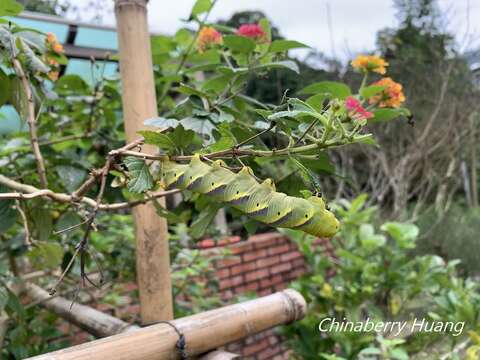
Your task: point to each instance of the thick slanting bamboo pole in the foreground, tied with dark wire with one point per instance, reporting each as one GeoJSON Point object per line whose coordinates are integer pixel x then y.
{"type": "Point", "coordinates": [203, 332]}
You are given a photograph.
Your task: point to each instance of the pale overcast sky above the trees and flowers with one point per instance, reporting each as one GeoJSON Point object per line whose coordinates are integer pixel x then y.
{"type": "Point", "coordinates": [354, 23]}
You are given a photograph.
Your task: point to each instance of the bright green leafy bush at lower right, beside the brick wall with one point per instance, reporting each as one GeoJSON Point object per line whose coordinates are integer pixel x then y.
{"type": "Point", "coordinates": [373, 275]}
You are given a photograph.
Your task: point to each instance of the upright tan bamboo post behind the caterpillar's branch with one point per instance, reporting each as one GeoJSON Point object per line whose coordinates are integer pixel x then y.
{"type": "Point", "coordinates": [139, 103]}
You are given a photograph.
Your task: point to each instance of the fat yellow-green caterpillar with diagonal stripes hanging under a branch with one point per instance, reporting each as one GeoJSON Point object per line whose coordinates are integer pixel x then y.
{"type": "Point", "coordinates": [259, 201]}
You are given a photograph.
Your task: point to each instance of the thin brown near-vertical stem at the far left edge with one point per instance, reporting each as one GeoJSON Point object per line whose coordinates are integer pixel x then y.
{"type": "Point", "coordinates": [32, 123]}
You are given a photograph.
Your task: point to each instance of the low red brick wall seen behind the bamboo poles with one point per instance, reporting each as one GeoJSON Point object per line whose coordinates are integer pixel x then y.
{"type": "Point", "coordinates": [263, 264]}
